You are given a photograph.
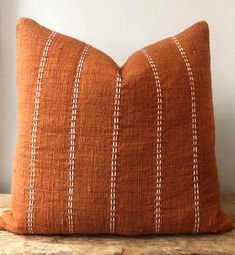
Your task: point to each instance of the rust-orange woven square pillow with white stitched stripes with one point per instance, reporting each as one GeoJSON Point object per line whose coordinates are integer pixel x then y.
{"type": "Point", "coordinates": [107, 149]}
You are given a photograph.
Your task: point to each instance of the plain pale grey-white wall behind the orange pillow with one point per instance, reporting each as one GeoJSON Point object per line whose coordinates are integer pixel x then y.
{"type": "Point", "coordinates": [120, 27]}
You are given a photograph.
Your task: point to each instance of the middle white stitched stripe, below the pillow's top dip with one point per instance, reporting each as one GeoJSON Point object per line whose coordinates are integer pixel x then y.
{"type": "Point", "coordinates": [115, 153]}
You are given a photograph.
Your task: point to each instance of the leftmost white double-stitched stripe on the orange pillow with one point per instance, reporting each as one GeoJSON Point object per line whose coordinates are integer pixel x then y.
{"type": "Point", "coordinates": [32, 171]}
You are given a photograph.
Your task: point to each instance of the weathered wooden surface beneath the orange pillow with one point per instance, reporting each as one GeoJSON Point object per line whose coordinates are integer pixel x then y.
{"type": "Point", "coordinates": [155, 245]}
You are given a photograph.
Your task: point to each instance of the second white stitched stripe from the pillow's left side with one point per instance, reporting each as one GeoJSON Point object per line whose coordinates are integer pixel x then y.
{"type": "Point", "coordinates": [73, 137]}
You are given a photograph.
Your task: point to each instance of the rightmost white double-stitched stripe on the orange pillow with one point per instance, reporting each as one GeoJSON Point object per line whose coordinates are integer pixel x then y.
{"type": "Point", "coordinates": [194, 135]}
